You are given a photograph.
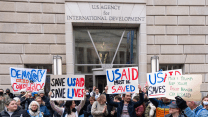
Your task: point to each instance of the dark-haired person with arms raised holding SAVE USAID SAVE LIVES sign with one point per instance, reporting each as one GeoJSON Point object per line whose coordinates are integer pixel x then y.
{"type": "Point", "coordinates": [70, 109]}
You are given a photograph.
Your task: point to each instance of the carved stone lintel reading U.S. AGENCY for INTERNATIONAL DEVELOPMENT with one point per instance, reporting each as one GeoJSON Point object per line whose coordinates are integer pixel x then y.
{"type": "Point", "coordinates": [105, 12]}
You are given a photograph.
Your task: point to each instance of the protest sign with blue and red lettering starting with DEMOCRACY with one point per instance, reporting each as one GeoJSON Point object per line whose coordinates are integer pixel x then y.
{"type": "Point", "coordinates": [29, 79]}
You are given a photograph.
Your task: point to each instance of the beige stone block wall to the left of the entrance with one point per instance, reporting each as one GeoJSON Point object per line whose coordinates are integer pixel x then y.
{"type": "Point", "coordinates": [31, 32]}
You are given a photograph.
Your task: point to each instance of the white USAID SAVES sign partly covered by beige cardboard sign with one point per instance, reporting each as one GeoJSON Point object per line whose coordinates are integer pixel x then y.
{"type": "Point", "coordinates": [156, 82]}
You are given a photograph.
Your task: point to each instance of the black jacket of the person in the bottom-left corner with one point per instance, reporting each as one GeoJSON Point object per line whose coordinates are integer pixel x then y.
{"type": "Point", "coordinates": [18, 113]}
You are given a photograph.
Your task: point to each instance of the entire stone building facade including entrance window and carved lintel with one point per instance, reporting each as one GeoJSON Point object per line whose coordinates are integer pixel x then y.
{"type": "Point", "coordinates": [94, 35]}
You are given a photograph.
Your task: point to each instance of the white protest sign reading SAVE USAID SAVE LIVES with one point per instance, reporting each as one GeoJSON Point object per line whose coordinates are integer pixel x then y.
{"type": "Point", "coordinates": [67, 87]}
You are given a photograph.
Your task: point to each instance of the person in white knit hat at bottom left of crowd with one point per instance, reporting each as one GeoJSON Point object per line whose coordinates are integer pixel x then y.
{"type": "Point", "coordinates": [34, 109]}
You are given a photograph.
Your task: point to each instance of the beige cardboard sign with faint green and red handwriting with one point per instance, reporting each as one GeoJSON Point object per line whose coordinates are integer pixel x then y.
{"type": "Point", "coordinates": [185, 86]}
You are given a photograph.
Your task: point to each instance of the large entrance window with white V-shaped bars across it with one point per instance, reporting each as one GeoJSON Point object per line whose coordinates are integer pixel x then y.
{"type": "Point", "coordinates": [97, 46]}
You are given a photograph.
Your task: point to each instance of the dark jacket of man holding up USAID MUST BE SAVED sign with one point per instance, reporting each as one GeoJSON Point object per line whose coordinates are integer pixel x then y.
{"type": "Point", "coordinates": [131, 106]}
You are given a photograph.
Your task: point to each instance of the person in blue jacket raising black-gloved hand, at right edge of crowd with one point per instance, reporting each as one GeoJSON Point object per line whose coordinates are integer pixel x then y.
{"type": "Point", "coordinates": [200, 111]}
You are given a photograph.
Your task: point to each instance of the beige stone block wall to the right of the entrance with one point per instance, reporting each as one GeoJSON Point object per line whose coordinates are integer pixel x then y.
{"type": "Point", "coordinates": [177, 33]}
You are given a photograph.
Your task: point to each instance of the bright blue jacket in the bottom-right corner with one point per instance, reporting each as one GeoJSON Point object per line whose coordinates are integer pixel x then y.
{"type": "Point", "coordinates": [198, 112]}
